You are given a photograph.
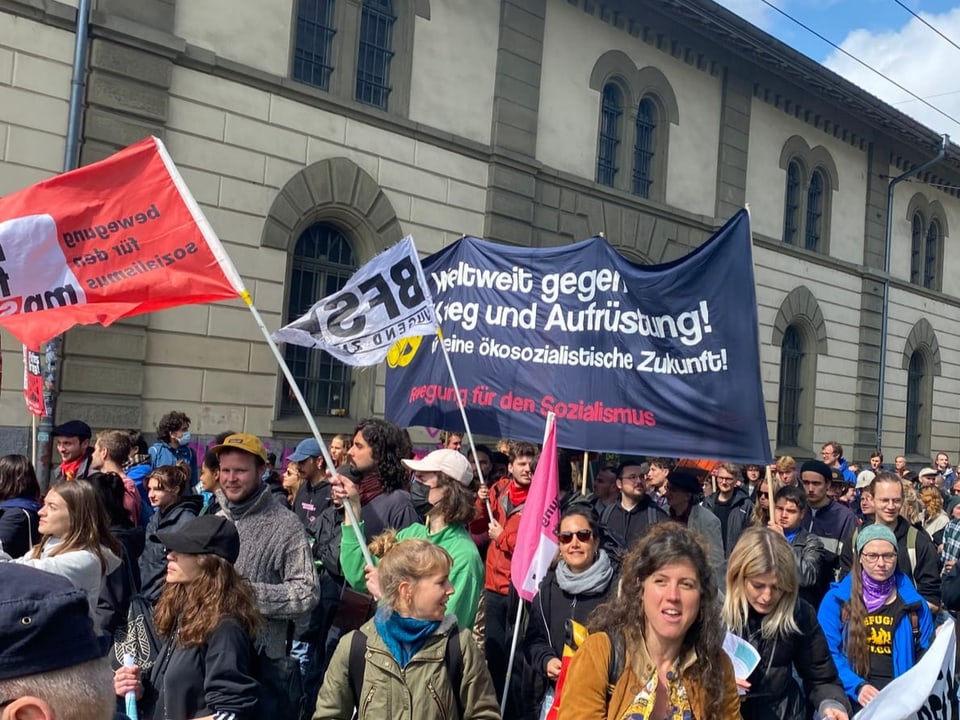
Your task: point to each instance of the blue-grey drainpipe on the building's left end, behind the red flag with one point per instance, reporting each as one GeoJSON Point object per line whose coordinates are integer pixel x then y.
{"type": "Point", "coordinates": [71, 159]}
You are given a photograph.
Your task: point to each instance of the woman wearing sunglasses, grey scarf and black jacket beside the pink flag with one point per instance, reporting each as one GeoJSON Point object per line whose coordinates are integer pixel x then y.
{"type": "Point", "coordinates": [583, 579]}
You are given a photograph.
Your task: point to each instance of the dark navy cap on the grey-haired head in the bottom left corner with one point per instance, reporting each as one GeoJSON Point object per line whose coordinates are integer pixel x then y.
{"type": "Point", "coordinates": [45, 623]}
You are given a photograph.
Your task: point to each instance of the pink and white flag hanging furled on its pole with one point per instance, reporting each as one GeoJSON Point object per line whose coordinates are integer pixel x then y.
{"type": "Point", "coordinates": [537, 535]}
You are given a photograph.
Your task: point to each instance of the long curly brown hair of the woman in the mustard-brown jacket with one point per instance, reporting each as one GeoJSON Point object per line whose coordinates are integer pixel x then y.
{"type": "Point", "coordinates": [666, 544]}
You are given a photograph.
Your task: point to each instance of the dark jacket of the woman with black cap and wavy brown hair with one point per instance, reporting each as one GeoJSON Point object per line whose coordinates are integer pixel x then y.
{"type": "Point", "coordinates": [189, 682]}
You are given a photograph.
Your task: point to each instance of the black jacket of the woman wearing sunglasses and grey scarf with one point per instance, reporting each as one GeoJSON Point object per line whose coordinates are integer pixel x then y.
{"type": "Point", "coordinates": [549, 611]}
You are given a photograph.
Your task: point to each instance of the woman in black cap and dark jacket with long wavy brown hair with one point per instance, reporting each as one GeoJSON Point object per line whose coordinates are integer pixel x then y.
{"type": "Point", "coordinates": [207, 616]}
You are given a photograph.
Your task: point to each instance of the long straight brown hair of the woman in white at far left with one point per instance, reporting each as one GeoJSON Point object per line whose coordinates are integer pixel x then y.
{"type": "Point", "coordinates": [89, 525]}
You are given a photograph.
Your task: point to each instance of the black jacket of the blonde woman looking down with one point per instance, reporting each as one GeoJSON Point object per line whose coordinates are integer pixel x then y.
{"type": "Point", "coordinates": [774, 692]}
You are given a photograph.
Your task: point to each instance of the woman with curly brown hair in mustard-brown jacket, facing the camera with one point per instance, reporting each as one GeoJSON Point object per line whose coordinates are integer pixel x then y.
{"type": "Point", "coordinates": [663, 633]}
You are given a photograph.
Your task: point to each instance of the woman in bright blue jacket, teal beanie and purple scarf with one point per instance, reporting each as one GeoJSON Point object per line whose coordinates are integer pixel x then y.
{"type": "Point", "coordinates": [876, 623]}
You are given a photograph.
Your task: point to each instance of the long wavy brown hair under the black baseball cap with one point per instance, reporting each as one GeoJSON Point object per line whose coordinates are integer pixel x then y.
{"type": "Point", "coordinates": [196, 608]}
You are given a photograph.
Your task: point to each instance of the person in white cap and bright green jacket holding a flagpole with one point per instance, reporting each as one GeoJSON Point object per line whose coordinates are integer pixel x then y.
{"type": "Point", "coordinates": [442, 482]}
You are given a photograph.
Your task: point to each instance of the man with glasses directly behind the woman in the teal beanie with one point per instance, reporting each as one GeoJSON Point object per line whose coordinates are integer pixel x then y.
{"type": "Point", "coordinates": [917, 558]}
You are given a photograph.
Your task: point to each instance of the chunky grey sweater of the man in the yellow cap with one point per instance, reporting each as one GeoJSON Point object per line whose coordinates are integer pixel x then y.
{"type": "Point", "coordinates": [276, 559]}
